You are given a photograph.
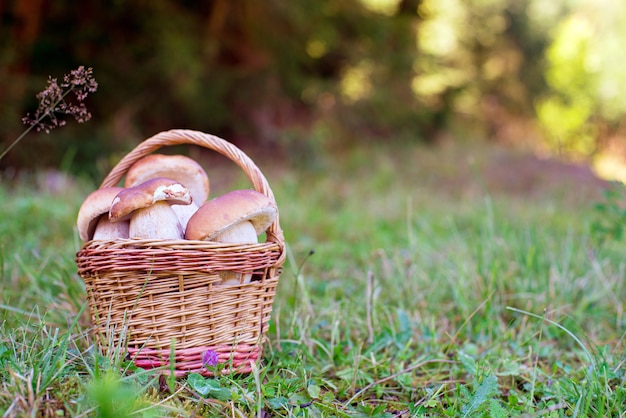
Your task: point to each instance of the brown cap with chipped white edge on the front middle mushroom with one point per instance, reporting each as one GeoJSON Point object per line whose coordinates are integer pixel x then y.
{"type": "Point", "coordinates": [147, 194]}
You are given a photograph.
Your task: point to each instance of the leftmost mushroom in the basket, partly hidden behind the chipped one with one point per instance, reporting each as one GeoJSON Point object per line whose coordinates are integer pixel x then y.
{"type": "Point", "coordinates": [92, 224]}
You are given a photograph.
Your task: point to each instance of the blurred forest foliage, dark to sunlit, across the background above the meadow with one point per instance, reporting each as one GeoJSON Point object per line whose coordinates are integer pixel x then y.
{"type": "Point", "coordinates": [305, 76]}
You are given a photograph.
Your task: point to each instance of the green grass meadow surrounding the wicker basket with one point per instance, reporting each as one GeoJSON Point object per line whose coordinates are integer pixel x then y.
{"type": "Point", "coordinates": [430, 292]}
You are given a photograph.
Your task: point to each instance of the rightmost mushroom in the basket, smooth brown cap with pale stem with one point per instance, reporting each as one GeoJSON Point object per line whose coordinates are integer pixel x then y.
{"type": "Point", "coordinates": [237, 217]}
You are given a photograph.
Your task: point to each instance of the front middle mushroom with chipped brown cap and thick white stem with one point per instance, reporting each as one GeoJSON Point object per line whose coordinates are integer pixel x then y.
{"type": "Point", "coordinates": [147, 205]}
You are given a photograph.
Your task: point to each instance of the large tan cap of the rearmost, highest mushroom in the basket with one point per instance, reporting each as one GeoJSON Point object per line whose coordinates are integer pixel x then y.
{"type": "Point", "coordinates": [178, 167]}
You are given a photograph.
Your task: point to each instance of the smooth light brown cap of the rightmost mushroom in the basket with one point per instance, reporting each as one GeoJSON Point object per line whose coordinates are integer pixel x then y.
{"type": "Point", "coordinates": [232, 208]}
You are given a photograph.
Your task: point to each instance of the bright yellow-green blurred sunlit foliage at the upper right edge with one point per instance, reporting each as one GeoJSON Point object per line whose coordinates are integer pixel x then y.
{"type": "Point", "coordinates": [586, 75]}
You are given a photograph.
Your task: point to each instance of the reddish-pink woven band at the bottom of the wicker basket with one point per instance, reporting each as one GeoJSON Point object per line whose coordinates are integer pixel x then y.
{"type": "Point", "coordinates": [238, 359]}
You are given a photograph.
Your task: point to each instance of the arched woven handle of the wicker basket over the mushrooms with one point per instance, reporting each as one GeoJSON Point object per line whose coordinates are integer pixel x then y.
{"type": "Point", "coordinates": [212, 142]}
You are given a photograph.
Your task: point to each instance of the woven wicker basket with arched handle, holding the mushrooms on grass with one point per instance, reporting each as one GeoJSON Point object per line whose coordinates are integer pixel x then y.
{"type": "Point", "coordinates": [158, 301]}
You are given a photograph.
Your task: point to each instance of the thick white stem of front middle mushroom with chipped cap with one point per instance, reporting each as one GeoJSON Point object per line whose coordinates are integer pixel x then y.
{"type": "Point", "coordinates": [158, 221]}
